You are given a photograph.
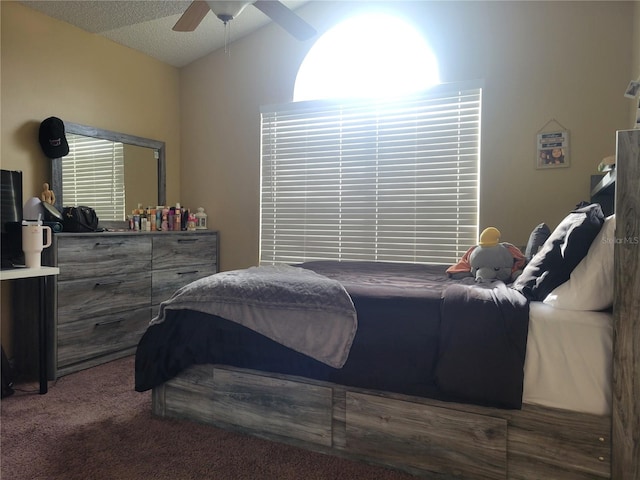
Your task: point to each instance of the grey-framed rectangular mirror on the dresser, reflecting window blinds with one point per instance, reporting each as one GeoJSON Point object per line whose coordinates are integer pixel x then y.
{"type": "Point", "coordinates": [141, 178]}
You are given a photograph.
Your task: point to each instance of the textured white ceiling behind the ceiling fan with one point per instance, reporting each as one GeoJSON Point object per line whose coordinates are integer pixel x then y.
{"type": "Point", "coordinates": [146, 25]}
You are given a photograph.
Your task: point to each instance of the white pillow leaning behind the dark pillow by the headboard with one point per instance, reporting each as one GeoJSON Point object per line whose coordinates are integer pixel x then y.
{"type": "Point", "coordinates": [590, 286]}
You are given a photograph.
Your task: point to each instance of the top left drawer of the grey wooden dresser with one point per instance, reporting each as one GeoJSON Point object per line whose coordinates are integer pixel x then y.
{"type": "Point", "coordinates": [91, 256]}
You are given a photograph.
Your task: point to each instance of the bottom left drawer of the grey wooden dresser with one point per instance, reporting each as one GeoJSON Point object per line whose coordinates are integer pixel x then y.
{"type": "Point", "coordinates": [99, 336]}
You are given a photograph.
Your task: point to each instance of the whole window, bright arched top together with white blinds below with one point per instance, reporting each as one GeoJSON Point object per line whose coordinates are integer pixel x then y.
{"type": "Point", "coordinates": [368, 162]}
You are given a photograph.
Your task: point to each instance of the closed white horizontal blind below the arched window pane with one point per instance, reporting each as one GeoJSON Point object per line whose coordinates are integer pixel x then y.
{"type": "Point", "coordinates": [394, 180]}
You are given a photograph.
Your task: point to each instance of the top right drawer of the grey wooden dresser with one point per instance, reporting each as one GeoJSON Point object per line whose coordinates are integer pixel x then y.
{"type": "Point", "coordinates": [172, 251]}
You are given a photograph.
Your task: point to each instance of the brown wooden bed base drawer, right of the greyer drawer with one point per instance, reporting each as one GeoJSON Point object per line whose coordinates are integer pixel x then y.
{"type": "Point", "coordinates": [426, 437]}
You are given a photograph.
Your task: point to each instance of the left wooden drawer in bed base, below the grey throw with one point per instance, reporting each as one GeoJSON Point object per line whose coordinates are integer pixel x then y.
{"type": "Point", "coordinates": [251, 403]}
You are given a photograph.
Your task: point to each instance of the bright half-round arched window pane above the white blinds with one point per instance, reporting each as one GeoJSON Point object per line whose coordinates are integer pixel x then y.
{"type": "Point", "coordinates": [367, 56]}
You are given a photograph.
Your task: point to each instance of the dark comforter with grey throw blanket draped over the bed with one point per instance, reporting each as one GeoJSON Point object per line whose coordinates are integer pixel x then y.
{"type": "Point", "coordinates": [415, 332]}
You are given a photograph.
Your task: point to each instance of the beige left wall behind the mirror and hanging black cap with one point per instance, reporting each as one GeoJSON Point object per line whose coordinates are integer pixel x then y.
{"type": "Point", "coordinates": [51, 68]}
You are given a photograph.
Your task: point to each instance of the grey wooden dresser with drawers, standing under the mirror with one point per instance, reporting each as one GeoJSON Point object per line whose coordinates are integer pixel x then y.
{"type": "Point", "coordinates": [110, 286]}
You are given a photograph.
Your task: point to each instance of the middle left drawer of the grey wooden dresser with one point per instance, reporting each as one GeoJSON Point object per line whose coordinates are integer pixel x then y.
{"type": "Point", "coordinates": [97, 296]}
